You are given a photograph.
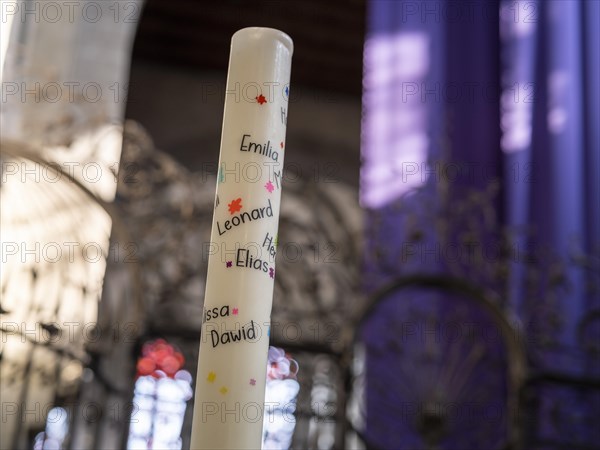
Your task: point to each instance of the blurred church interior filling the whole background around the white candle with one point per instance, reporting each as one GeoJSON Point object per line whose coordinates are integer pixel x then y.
{"type": "Point", "coordinates": [438, 275]}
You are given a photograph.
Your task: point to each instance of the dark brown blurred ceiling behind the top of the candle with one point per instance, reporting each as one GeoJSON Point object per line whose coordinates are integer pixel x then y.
{"type": "Point", "coordinates": [328, 36]}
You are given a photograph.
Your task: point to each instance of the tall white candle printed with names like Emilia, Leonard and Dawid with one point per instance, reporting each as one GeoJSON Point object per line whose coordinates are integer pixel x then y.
{"type": "Point", "coordinates": [230, 385]}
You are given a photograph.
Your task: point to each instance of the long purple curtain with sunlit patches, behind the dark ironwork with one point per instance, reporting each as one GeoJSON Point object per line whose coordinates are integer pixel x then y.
{"type": "Point", "coordinates": [503, 96]}
